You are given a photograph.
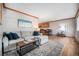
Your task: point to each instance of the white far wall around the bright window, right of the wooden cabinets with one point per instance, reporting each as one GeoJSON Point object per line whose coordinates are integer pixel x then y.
{"type": "Point", "coordinates": [69, 27]}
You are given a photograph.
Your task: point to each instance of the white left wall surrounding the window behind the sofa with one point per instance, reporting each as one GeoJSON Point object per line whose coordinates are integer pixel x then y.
{"type": "Point", "coordinates": [10, 21]}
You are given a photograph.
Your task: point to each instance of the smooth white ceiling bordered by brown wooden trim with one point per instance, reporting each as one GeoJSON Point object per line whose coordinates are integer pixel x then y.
{"type": "Point", "coordinates": [47, 11]}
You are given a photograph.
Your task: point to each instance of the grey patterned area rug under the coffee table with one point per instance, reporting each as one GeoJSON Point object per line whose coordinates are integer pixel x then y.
{"type": "Point", "coordinates": [52, 48]}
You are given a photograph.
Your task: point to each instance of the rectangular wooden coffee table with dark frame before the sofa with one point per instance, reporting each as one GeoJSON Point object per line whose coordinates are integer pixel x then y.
{"type": "Point", "coordinates": [23, 47]}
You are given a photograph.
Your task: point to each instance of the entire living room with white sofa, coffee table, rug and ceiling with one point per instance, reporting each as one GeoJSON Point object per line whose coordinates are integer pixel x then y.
{"type": "Point", "coordinates": [39, 29]}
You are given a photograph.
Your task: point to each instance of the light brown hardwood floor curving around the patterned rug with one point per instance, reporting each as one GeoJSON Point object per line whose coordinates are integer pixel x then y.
{"type": "Point", "coordinates": [71, 47]}
